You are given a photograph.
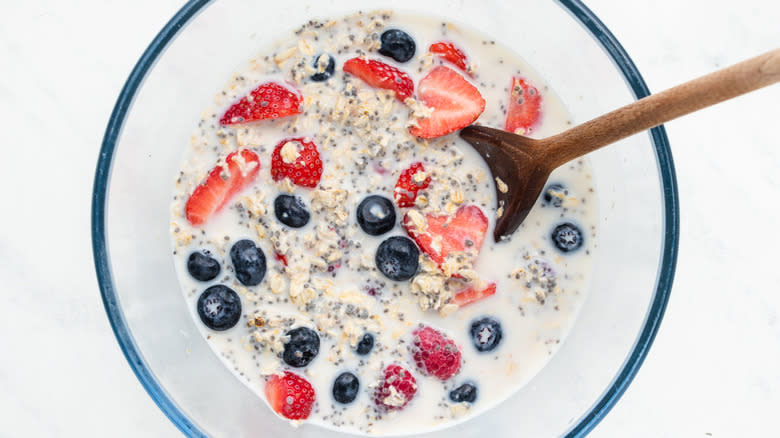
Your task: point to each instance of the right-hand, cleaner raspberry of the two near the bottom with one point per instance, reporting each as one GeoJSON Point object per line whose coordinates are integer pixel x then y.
{"type": "Point", "coordinates": [435, 354]}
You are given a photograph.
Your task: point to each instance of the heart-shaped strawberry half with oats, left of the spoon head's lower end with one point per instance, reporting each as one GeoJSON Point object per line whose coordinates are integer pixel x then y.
{"type": "Point", "coordinates": [443, 234]}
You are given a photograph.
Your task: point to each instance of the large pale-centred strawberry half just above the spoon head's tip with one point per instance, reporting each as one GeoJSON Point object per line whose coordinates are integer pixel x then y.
{"type": "Point", "coordinates": [455, 103]}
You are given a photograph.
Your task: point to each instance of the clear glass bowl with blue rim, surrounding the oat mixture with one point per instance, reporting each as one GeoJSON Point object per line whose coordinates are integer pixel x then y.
{"type": "Point", "coordinates": [199, 49]}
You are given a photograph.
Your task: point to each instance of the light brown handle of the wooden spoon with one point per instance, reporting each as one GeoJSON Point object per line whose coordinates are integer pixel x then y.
{"type": "Point", "coordinates": [667, 105]}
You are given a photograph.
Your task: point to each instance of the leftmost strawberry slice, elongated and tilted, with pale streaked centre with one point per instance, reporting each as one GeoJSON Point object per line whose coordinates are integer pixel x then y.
{"type": "Point", "coordinates": [221, 185]}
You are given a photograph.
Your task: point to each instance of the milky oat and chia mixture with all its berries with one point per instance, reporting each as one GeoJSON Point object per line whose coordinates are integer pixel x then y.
{"type": "Point", "coordinates": [333, 234]}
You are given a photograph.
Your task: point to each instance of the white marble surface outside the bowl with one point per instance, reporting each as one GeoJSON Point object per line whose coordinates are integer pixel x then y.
{"type": "Point", "coordinates": [715, 365]}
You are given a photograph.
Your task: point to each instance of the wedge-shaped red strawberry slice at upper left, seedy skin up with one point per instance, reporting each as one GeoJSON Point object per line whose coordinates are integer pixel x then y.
{"type": "Point", "coordinates": [267, 101]}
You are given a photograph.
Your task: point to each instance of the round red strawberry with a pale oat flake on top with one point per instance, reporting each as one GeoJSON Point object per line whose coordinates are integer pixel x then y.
{"type": "Point", "coordinates": [297, 159]}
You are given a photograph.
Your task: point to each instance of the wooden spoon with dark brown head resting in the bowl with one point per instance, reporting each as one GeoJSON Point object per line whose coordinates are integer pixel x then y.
{"type": "Point", "coordinates": [524, 164]}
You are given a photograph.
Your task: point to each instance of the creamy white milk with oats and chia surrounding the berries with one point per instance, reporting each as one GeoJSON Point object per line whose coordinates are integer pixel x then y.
{"type": "Point", "coordinates": [533, 325]}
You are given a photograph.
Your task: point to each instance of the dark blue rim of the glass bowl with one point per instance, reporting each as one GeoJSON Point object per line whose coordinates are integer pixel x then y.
{"type": "Point", "coordinates": [102, 265]}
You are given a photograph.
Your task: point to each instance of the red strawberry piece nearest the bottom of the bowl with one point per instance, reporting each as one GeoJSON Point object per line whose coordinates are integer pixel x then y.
{"type": "Point", "coordinates": [290, 395]}
